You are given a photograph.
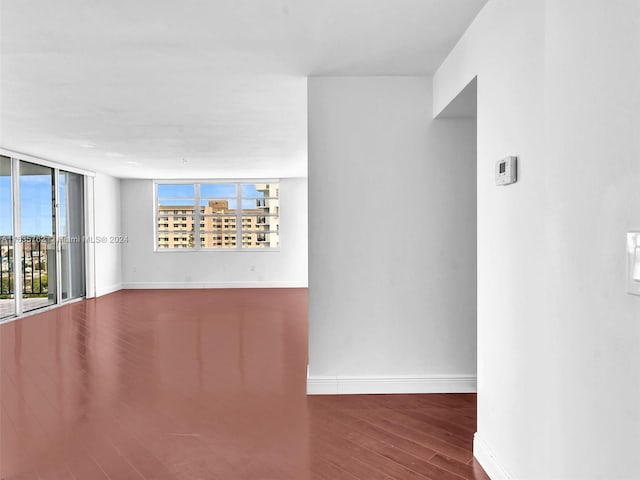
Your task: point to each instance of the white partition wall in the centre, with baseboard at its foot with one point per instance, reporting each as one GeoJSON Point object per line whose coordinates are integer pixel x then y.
{"type": "Point", "coordinates": [392, 239]}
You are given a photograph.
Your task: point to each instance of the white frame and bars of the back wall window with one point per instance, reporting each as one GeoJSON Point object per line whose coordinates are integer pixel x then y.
{"type": "Point", "coordinates": [199, 217]}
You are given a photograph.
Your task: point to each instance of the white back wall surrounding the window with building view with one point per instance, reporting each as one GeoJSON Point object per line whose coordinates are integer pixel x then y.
{"type": "Point", "coordinates": [144, 268]}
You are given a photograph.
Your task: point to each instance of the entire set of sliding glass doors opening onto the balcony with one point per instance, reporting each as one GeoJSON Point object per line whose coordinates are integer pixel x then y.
{"type": "Point", "coordinates": [42, 236]}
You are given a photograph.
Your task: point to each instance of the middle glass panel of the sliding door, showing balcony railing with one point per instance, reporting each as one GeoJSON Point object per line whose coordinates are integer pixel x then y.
{"type": "Point", "coordinates": [38, 242]}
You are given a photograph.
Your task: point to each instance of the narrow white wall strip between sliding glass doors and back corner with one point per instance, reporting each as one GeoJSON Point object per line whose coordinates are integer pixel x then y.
{"type": "Point", "coordinates": [107, 221]}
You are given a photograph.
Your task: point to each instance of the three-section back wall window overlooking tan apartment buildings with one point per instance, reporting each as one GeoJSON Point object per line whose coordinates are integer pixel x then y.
{"type": "Point", "coordinates": [212, 211]}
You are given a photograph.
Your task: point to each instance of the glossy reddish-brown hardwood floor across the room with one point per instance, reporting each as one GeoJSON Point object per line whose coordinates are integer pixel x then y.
{"type": "Point", "coordinates": [205, 384]}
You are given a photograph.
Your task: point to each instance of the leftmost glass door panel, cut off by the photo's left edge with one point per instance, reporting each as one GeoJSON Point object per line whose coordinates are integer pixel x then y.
{"type": "Point", "coordinates": [7, 284]}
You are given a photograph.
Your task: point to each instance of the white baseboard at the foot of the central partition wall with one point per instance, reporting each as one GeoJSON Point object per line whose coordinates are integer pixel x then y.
{"type": "Point", "coordinates": [326, 385]}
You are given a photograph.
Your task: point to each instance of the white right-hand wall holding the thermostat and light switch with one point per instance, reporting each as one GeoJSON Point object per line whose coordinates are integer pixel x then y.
{"type": "Point", "coordinates": [558, 337]}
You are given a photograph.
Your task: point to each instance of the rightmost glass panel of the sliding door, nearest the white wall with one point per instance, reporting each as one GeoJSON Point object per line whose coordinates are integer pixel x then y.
{"type": "Point", "coordinates": [71, 200]}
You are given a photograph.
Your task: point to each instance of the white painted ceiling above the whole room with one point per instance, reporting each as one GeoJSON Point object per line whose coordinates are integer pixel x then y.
{"type": "Point", "coordinates": [197, 88]}
